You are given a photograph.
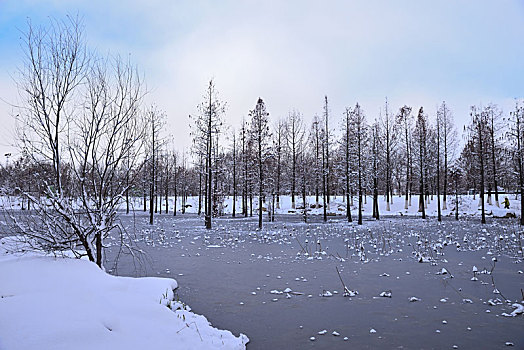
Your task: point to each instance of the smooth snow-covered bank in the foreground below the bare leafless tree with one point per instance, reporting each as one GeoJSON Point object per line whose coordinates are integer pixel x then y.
{"type": "Point", "coordinates": [61, 303]}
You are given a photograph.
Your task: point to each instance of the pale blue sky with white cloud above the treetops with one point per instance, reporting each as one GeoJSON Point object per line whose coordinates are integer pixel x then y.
{"type": "Point", "coordinates": [292, 54]}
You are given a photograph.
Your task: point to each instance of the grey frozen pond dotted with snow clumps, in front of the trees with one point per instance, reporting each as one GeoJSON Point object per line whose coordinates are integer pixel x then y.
{"type": "Point", "coordinates": [236, 276]}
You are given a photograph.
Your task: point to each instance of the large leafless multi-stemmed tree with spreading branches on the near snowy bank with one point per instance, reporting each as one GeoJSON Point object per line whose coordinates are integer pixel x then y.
{"type": "Point", "coordinates": [83, 119]}
